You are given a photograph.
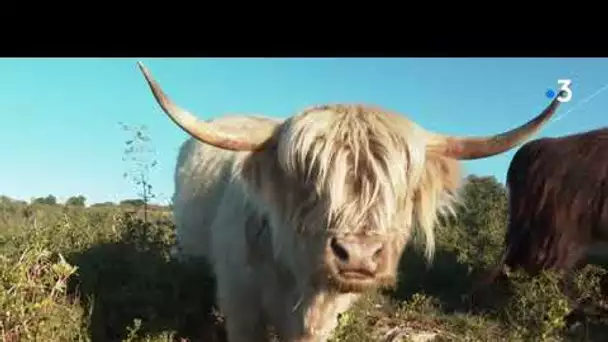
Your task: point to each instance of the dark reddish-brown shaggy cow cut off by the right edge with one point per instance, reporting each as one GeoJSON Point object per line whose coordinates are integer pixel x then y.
{"type": "Point", "coordinates": [558, 201]}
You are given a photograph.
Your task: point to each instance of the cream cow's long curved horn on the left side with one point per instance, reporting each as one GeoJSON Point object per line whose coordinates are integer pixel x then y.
{"type": "Point", "coordinates": [242, 140]}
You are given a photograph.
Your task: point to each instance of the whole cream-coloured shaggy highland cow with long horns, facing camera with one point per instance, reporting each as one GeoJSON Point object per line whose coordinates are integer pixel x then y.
{"type": "Point", "coordinates": [299, 217]}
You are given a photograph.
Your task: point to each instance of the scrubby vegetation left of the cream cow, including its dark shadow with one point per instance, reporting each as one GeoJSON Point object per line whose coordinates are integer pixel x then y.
{"type": "Point", "coordinates": [100, 274]}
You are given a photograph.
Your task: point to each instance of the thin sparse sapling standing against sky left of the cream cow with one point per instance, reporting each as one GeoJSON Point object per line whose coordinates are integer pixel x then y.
{"type": "Point", "coordinates": [141, 156]}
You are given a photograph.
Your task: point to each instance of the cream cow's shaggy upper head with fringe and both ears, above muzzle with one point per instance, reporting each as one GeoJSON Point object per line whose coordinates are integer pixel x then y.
{"type": "Point", "coordinates": [363, 167]}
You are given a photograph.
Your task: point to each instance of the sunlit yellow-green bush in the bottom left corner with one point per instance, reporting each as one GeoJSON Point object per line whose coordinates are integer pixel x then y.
{"type": "Point", "coordinates": [34, 305]}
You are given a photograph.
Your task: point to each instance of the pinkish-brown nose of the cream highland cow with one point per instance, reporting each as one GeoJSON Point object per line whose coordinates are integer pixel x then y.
{"type": "Point", "coordinates": [357, 254]}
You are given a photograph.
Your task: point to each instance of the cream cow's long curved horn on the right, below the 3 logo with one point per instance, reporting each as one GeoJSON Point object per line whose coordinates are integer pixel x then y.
{"type": "Point", "coordinates": [465, 148]}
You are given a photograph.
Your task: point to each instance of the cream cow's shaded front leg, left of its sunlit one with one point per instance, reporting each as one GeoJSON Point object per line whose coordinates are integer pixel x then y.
{"type": "Point", "coordinates": [239, 304]}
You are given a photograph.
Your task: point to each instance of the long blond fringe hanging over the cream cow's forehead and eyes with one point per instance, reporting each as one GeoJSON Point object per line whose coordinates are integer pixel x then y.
{"type": "Point", "coordinates": [363, 161]}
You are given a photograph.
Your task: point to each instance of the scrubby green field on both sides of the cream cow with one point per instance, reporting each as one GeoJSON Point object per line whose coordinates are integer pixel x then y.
{"type": "Point", "coordinates": [103, 273]}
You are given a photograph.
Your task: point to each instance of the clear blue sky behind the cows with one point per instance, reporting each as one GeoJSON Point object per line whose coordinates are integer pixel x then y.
{"type": "Point", "coordinates": [60, 131]}
